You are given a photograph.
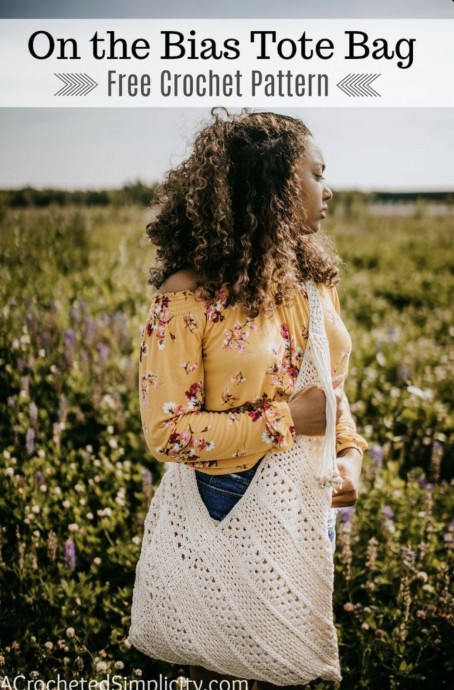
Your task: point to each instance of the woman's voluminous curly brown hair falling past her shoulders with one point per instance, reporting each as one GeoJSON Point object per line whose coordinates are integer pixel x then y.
{"type": "Point", "coordinates": [233, 212]}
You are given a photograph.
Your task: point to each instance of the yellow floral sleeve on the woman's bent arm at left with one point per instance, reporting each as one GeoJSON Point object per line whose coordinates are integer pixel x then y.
{"type": "Point", "coordinates": [176, 424]}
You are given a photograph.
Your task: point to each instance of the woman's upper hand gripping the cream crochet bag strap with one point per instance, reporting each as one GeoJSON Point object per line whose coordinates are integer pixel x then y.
{"type": "Point", "coordinates": [308, 410]}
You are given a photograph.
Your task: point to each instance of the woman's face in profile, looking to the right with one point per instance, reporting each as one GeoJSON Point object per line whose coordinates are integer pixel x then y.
{"type": "Point", "coordinates": [316, 192]}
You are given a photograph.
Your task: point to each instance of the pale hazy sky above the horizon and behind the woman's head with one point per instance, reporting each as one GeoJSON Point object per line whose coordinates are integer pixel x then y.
{"type": "Point", "coordinates": [367, 149]}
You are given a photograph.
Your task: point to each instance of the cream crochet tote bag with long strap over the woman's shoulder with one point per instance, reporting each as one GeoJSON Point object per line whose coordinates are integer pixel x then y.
{"type": "Point", "coordinates": [249, 596]}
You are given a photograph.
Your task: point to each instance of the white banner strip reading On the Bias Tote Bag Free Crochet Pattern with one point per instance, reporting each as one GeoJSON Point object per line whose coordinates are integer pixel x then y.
{"type": "Point", "coordinates": [92, 63]}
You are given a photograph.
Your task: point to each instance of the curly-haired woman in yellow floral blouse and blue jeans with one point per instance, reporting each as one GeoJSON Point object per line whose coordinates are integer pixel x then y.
{"type": "Point", "coordinates": [237, 235]}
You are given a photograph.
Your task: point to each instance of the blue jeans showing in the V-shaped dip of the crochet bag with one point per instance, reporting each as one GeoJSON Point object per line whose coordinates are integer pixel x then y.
{"type": "Point", "coordinates": [221, 492]}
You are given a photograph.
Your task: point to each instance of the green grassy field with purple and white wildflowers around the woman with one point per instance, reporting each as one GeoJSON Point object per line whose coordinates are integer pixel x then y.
{"type": "Point", "coordinates": [77, 480]}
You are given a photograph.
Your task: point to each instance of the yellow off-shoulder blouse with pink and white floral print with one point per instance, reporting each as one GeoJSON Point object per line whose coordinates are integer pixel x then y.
{"type": "Point", "coordinates": [214, 383]}
